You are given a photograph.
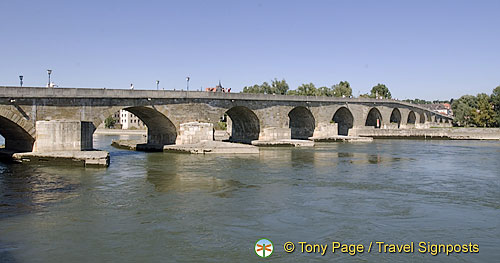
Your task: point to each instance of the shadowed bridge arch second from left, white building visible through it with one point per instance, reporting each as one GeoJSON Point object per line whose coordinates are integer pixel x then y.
{"type": "Point", "coordinates": [161, 130]}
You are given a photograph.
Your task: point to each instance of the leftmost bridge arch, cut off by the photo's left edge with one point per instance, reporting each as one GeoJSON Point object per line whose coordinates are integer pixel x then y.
{"type": "Point", "coordinates": [18, 133]}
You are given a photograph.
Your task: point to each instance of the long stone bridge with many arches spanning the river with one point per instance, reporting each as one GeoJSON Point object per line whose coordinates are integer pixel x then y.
{"type": "Point", "coordinates": [44, 119]}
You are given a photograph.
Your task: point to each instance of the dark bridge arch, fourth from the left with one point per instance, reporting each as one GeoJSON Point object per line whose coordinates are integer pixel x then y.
{"type": "Point", "coordinates": [301, 123]}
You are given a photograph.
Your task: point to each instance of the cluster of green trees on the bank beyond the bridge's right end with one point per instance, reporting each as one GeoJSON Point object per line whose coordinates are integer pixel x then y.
{"type": "Point", "coordinates": [482, 110]}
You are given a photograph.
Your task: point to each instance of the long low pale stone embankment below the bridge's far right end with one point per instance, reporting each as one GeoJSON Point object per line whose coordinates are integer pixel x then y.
{"type": "Point", "coordinates": [432, 133]}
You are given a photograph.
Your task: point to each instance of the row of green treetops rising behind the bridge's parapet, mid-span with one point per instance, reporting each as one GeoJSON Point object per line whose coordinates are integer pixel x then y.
{"type": "Point", "coordinates": [342, 89]}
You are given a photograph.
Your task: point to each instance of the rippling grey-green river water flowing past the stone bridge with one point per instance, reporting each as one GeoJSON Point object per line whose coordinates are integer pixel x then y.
{"type": "Point", "coordinates": [159, 207]}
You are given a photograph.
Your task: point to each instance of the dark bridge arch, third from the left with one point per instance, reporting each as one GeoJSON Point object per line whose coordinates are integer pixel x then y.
{"type": "Point", "coordinates": [245, 126]}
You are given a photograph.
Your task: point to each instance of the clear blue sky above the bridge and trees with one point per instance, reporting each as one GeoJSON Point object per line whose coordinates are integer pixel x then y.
{"type": "Point", "coordinates": [425, 49]}
